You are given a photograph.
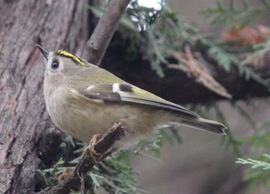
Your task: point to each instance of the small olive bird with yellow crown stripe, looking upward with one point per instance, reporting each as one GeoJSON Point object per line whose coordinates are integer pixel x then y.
{"type": "Point", "coordinates": [83, 99]}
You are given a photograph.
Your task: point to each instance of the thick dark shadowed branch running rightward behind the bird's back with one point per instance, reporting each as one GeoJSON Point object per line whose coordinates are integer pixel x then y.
{"type": "Point", "coordinates": [182, 88]}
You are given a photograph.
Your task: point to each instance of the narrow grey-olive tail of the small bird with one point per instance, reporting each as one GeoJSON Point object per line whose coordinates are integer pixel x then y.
{"type": "Point", "coordinates": [204, 124]}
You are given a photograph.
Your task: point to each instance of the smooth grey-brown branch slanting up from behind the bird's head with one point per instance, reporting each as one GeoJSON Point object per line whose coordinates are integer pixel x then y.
{"type": "Point", "coordinates": [98, 43]}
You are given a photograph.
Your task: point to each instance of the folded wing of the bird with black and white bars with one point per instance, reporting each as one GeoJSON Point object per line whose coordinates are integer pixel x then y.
{"type": "Point", "coordinates": [127, 93]}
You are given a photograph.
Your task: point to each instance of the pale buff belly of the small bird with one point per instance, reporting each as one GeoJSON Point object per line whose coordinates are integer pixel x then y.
{"type": "Point", "coordinates": [83, 122]}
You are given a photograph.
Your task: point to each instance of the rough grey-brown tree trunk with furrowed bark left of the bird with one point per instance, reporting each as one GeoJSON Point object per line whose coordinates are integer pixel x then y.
{"type": "Point", "coordinates": [24, 121]}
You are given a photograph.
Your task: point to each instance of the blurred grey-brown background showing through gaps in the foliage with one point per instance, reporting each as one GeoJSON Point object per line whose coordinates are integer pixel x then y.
{"type": "Point", "coordinates": [201, 164]}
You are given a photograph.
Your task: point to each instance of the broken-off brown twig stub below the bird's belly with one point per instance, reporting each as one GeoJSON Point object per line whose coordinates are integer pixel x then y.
{"type": "Point", "coordinates": [99, 147]}
